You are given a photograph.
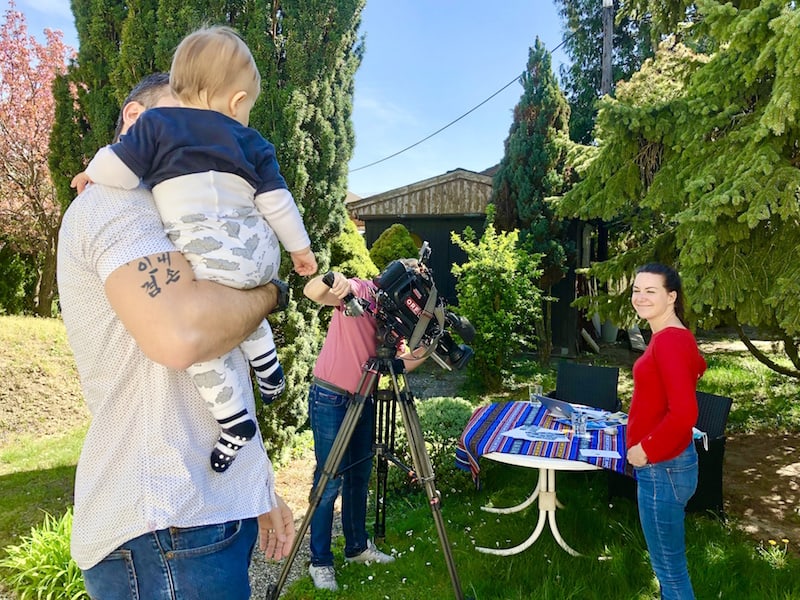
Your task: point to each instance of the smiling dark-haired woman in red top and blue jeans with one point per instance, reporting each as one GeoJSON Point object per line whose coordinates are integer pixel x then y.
{"type": "Point", "coordinates": [663, 412]}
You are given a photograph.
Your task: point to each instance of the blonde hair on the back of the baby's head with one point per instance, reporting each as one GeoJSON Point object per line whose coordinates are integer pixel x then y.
{"type": "Point", "coordinates": [212, 62]}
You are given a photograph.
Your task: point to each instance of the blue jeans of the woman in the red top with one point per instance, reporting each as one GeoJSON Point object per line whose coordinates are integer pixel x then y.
{"type": "Point", "coordinates": [664, 488]}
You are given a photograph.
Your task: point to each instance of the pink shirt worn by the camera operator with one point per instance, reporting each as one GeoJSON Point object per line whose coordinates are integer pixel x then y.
{"type": "Point", "coordinates": [349, 343]}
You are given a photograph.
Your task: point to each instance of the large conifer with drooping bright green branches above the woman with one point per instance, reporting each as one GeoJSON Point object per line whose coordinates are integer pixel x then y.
{"type": "Point", "coordinates": [699, 158]}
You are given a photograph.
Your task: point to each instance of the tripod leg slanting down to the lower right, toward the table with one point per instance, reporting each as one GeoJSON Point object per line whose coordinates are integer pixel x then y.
{"type": "Point", "coordinates": [422, 464]}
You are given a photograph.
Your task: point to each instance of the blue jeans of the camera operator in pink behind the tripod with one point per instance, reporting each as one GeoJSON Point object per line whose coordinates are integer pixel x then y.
{"type": "Point", "coordinates": [326, 411]}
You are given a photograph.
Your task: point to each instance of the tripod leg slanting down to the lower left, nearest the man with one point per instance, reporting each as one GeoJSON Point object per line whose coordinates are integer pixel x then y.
{"type": "Point", "coordinates": [329, 471]}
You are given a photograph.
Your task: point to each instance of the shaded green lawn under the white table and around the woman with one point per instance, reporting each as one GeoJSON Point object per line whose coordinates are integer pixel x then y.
{"type": "Point", "coordinates": [724, 562]}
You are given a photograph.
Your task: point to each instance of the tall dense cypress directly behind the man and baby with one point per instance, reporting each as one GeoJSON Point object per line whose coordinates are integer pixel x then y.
{"type": "Point", "coordinates": [307, 53]}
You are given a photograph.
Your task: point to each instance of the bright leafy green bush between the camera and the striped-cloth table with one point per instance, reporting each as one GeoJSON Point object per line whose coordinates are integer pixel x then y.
{"type": "Point", "coordinates": [497, 292]}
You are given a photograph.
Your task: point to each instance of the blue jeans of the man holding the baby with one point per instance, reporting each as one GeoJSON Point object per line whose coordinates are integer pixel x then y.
{"type": "Point", "coordinates": [193, 563]}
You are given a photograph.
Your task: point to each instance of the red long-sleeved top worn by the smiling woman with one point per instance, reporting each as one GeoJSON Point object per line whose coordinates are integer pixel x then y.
{"type": "Point", "coordinates": [664, 406]}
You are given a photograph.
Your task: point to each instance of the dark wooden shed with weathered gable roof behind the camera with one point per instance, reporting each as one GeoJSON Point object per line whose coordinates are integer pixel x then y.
{"type": "Point", "coordinates": [431, 210]}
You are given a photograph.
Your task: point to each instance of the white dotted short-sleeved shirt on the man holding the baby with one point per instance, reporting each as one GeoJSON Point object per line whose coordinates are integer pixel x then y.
{"type": "Point", "coordinates": [144, 464]}
